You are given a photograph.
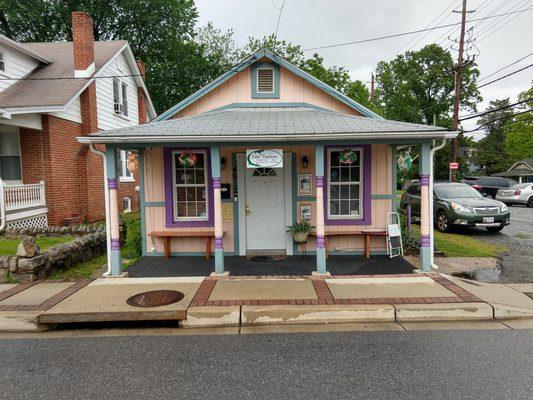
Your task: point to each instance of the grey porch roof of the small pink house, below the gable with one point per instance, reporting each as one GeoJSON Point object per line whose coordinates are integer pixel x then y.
{"type": "Point", "coordinates": [262, 122]}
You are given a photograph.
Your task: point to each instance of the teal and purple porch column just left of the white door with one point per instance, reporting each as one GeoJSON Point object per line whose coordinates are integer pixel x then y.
{"type": "Point", "coordinates": [219, 233]}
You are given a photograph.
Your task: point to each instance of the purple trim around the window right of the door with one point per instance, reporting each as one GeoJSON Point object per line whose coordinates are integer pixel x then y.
{"type": "Point", "coordinates": [367, 188]}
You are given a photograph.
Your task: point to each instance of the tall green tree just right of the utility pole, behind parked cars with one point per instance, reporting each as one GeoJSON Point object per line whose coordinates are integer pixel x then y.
{"type": "Point", "coordinates": [491, 154]}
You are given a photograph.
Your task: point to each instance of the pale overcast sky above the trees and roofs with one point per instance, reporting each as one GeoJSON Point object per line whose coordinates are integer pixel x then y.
{"type": "Point", "coordinates": [313, 23]}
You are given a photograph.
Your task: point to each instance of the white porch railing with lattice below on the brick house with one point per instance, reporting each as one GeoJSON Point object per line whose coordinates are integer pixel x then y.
{"type": "Point", "coordinates": [23, 206]}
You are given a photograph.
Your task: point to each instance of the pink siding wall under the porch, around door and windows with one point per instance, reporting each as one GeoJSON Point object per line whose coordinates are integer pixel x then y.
{"type": "Point", "coordinates": [381, 185]}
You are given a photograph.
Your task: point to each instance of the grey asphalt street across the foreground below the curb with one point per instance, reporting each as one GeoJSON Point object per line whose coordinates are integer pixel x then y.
{"type": "Point", "coordinates": [354, 365]}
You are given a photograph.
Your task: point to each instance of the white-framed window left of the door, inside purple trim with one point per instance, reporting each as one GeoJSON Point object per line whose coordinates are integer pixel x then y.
{"type": "Point", "coordinates": [190, 180]}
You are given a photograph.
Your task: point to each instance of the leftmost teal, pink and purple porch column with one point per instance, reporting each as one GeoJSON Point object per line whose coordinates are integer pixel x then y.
{"type": "Point", "coordinates": [111, 171]}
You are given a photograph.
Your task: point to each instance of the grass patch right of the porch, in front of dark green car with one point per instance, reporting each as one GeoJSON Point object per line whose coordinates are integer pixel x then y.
{"type": "Point", "coordinates": [461, 245]}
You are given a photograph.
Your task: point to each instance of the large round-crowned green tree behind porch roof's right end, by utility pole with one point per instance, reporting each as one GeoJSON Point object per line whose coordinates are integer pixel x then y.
{"type": "Point", "coordinates": [417, 85]}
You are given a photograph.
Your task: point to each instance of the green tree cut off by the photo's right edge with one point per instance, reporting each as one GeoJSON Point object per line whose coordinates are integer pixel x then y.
{"type": "Point", "coordinates": [519, 133]}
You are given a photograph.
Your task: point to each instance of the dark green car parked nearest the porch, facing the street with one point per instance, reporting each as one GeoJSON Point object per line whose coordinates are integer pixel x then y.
{"type": "Point", "coordinates": [458, 204]}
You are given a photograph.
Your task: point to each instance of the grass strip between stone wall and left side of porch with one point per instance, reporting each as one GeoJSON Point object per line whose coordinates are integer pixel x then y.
{"type": "Point", "coordinates": [129, 252]}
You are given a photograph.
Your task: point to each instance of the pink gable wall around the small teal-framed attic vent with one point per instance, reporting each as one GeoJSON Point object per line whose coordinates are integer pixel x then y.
{"type": "Point", "coordinates": [238, 89]}
